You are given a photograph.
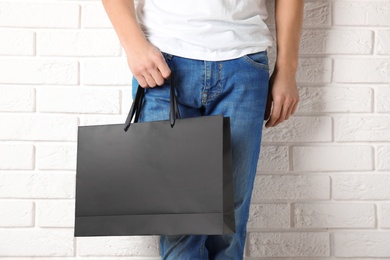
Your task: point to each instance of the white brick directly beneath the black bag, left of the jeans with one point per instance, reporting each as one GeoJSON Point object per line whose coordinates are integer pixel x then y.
{"type": "Point", "coordinates": [118, 246]}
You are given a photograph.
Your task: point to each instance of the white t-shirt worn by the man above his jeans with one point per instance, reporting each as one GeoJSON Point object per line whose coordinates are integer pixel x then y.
{"type": "Point", "coordinates": [205, 29]}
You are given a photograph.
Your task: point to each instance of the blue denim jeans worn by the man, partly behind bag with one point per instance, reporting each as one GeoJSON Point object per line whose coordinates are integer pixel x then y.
{"type": "Point", "coordinates": [235, 88]}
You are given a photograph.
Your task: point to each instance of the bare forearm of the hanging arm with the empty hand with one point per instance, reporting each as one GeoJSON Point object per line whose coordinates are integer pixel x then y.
{"type": "Point", "coordinates": [288, 19]}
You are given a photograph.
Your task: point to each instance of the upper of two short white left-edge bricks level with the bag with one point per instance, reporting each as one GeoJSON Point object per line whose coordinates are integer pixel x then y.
{"type": "Point", "coordinates": [16, 156]}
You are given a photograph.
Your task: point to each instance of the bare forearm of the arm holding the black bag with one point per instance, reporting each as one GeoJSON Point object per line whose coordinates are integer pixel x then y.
{"type": "Point", "coordinates": [123, 18]}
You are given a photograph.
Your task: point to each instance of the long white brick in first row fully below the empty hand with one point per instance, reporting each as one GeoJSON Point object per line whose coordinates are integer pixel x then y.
{"type": "Point", "coordinates": [332, 158]}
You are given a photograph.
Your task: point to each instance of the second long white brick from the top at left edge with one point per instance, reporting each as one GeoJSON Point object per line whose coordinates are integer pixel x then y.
{"type": "Point", "coordinates": [39, 71]}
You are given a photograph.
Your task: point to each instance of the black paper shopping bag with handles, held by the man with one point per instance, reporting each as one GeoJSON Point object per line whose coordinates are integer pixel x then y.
{"type": "Point", "coordinates": [171, 177]}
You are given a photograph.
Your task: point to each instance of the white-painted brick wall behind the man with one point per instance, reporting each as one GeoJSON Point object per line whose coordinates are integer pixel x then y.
{"type": "Point", "coordinates": [323, 184]}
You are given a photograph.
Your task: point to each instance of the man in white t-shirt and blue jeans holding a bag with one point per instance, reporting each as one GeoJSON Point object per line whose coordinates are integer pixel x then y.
{"type": "Point", "coordinates": [216, 52]}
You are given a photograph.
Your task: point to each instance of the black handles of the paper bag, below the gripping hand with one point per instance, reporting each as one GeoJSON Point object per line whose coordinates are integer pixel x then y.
{"type": "Point", "coordinates": [136, 106]}
